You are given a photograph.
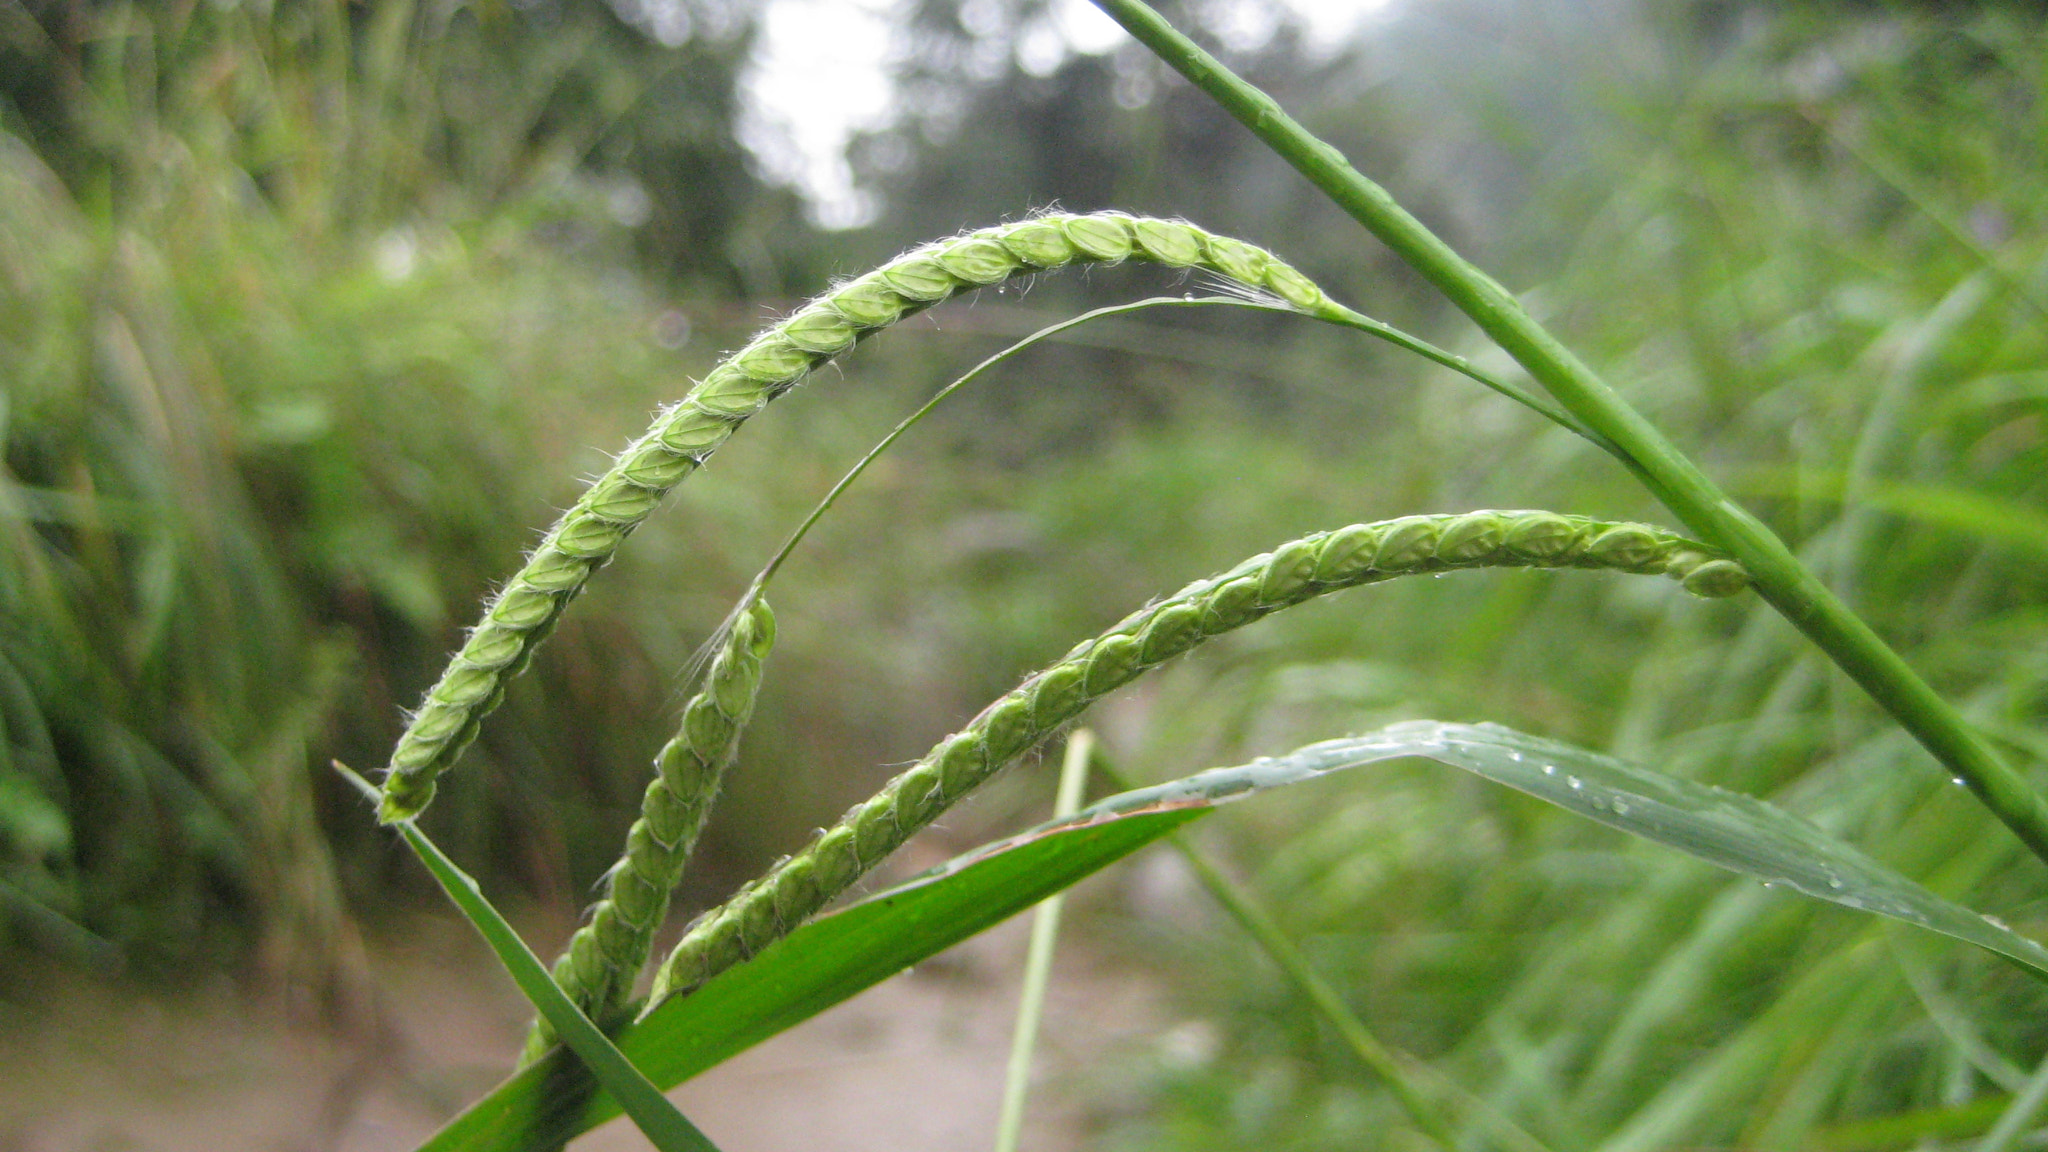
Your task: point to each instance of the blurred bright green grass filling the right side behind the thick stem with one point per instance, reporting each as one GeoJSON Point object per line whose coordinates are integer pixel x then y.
{"type": "Point", "coordinates": [1717, 239]}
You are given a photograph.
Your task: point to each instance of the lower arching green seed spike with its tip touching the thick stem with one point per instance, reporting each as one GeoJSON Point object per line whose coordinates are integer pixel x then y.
{"type": "Point", "coordinates": [1293, 573]}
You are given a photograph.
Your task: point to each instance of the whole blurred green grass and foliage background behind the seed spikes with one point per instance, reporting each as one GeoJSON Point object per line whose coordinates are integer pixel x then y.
{"type": "Point", "coordinates": [312, 315]}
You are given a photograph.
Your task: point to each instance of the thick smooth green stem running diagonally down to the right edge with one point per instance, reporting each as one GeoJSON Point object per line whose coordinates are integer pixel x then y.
{"type": "Point", "coordinates": [1676, 481]}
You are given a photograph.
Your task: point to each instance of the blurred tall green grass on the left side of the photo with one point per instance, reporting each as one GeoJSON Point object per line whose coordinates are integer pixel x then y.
{"type": "Point", "coordinates": [271, 382]}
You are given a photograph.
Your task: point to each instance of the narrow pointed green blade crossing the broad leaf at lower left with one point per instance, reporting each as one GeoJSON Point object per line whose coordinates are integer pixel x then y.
{"type": "Point", "coordinates": [650, 1110]}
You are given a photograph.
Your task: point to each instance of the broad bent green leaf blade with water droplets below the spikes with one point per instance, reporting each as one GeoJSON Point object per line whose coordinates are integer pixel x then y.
{"type": "Point", "coordinates": [837, 956]}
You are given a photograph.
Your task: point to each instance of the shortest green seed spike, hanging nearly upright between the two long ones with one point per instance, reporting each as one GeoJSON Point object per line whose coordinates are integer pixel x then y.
{"type": "Point", "coordinates": [607, 954]}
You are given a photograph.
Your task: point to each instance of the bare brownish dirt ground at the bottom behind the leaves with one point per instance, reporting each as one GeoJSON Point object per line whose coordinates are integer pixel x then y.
{"type": "Point", "coordinates": [912, 1065]}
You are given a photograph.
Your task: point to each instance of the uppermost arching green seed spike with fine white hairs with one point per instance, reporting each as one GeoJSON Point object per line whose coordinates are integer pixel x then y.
{"type": "Point", "coordinates": [775, 362]}
